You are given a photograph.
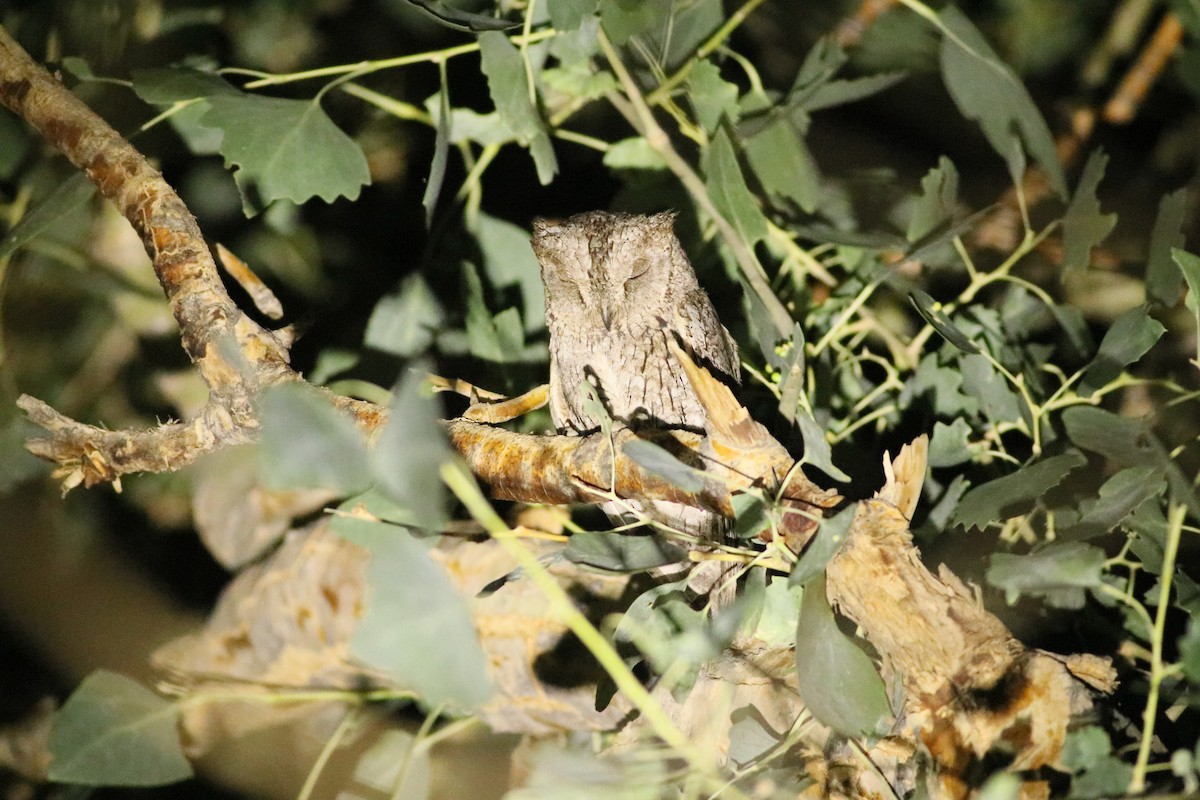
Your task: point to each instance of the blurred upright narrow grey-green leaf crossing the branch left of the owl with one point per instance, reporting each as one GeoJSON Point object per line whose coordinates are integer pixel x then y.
{"type": "Point", "coordinates": [410, 453]}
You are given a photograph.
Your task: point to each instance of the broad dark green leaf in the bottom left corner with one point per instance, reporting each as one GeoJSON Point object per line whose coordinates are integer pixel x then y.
{"type": "Point", "coordinates": [115, 732]}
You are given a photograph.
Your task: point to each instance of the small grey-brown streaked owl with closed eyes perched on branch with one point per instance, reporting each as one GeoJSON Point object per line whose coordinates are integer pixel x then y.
{"type": "Point", "coordinates": [617, 286]}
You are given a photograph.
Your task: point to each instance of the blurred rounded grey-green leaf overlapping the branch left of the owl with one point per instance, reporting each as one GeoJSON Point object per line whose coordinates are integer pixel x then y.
{"type": "Point", "coordinates": [307, 443]}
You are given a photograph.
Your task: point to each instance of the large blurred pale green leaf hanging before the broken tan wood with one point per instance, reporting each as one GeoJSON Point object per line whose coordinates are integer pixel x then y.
{"type": "Point", "coordinates": [417, 627]}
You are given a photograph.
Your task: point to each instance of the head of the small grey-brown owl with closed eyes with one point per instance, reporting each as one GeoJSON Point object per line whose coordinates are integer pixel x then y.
{"type": "Point", "coordinates": [620, 270]}
